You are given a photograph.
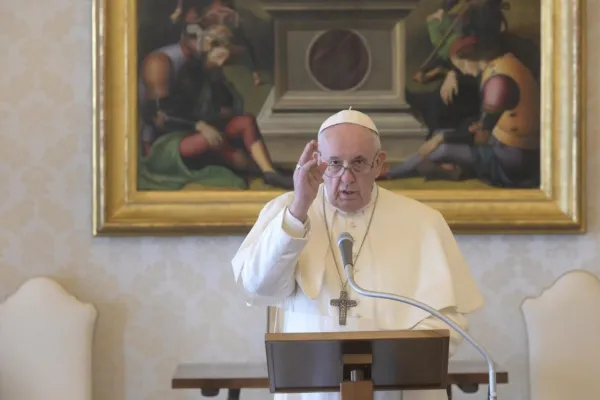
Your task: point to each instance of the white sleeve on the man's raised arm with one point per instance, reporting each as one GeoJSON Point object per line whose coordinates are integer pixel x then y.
{"type": "Point", "coordinates": [266, 262]}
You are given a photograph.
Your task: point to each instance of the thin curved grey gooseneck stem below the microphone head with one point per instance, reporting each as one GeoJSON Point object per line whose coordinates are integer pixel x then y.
{"type": "Point", "coordinates": [430, 310]}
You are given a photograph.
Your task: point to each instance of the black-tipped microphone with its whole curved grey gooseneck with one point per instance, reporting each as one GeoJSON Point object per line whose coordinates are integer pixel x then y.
{"type": "Point", "coordinates": [345, 242]}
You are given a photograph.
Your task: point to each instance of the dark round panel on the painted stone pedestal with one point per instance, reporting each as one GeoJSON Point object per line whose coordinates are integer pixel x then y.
{"type": "Point", "coordinates": [338, 59]}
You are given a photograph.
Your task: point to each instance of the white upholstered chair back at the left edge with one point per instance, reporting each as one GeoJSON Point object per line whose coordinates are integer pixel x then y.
{"type": "Point", "coordinates": [46, 338]}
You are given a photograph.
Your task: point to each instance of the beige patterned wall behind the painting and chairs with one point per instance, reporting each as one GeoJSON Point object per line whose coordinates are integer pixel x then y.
{"type": "Point", "coordinates": [152, 293]}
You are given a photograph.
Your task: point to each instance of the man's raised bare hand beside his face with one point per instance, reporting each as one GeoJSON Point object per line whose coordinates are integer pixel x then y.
{"type": "Point", "coordinates": [307, 178]}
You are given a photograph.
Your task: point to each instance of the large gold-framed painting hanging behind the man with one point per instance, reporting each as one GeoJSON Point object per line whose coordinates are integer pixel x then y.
{"type": "Point", "coordinates": [203, 107]}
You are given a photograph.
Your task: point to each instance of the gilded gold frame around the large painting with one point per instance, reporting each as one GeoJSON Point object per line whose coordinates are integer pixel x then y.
{"type": "Point", "coordinates": [558, 206]}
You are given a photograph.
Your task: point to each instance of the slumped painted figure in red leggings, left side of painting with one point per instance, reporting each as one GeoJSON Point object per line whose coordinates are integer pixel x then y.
{"type": "Point", "coordinates": [183, 89]}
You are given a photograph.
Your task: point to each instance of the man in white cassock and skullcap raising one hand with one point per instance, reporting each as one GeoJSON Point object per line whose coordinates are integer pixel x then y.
{"type": "Point", "coordinates": [290, 261]}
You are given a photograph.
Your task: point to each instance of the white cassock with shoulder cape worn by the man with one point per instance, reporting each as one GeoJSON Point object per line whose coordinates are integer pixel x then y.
{"type": "Point", "coordinates": [409, 251]}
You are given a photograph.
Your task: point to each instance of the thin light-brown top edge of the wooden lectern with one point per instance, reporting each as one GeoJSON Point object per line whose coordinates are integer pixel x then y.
{"type": "Point", "coordinates": [361, 335]}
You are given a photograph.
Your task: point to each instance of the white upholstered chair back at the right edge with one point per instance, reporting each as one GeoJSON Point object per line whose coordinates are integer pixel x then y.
{"type": "Point", "coordinates": [564, 344]}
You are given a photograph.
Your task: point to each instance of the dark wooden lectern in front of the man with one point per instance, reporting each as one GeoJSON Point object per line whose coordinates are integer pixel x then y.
{"type": "Point", "coordinates": [357, 363]}
